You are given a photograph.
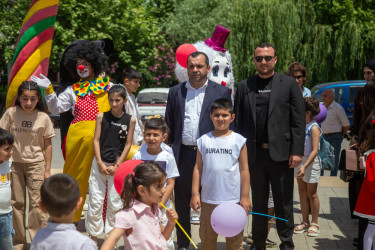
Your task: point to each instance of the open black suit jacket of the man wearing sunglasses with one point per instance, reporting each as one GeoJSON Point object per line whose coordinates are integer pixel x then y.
{"type": "Point", "coordinates": [286, 117]}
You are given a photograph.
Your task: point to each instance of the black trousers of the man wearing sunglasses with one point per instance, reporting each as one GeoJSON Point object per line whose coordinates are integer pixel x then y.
{"type": "Point", "coordinates": [281, 177]}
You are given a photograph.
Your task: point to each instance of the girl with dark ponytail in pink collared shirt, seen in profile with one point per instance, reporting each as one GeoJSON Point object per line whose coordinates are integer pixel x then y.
{"type": "Point", "coordinates": [140, 220]}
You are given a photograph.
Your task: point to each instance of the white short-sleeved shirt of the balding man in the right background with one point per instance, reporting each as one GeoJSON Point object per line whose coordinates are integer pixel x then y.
{"type": "Point", "coordinates": [336, 119]}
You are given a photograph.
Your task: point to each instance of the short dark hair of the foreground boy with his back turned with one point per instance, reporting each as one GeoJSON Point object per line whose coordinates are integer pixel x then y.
{"type": "Point", "coordinates": [60, 194]}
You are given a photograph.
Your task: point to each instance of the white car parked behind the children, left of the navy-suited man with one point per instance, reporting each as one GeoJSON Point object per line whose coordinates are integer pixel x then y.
{"type": "Point", "coordinates": [152, 101]}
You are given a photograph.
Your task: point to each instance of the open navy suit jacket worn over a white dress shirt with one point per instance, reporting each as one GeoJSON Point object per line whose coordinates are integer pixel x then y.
{"type": "Point", "coordinates": [174, 114]}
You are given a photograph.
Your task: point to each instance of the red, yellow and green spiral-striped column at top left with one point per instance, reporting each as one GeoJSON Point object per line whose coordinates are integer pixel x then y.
{"type": "Point", "coordinates": [34, 44]}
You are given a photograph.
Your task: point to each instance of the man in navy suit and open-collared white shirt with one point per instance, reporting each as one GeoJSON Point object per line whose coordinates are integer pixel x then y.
{"type": "Point", "coordinates": [188, 117]}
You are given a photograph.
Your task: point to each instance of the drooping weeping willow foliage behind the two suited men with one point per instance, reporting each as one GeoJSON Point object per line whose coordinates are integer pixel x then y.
{"type": "Point", "coordinates": [332, 39]}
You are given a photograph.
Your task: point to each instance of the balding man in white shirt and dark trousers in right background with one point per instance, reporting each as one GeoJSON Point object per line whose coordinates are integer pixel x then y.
{"type": "Point", "coordinates": [335, 125]}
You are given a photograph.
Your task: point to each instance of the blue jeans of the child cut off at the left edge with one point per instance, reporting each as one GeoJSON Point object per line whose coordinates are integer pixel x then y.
{"type": "Point", "coordinates": [6, 231]}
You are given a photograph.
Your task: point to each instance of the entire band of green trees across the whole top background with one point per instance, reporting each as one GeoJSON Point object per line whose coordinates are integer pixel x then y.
{"type": "Point", "coordinates": [332, 38]}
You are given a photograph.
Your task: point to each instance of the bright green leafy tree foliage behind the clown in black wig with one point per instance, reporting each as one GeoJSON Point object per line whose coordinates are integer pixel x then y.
{"type": "Point", "coordinates": [135, 31]}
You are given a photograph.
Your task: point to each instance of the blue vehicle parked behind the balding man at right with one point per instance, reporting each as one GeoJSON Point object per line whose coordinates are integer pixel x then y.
{"type": "Point", "coordinates": [345, 93]}
